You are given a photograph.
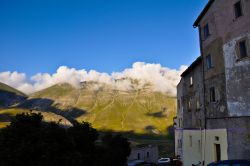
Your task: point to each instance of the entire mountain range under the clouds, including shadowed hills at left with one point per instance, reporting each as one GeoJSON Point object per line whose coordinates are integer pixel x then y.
{"type": "Point", "coordinates": [140, 110]}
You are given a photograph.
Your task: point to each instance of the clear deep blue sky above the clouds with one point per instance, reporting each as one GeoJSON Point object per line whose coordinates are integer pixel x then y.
{"type": "Point", "coordinates": [104, 35]}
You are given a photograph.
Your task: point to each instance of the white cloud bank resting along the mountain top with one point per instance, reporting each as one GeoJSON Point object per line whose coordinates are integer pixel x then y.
{"type": "Point", "coordinates": [161, 78]}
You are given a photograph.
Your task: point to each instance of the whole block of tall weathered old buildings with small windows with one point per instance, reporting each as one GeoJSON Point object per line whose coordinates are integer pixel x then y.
{"type": "Point", "coordinates": [224, 30]}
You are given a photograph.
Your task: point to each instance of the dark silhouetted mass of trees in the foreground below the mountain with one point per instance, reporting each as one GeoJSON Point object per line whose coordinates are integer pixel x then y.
{"type": "Point", "coordinates": [30, 141]}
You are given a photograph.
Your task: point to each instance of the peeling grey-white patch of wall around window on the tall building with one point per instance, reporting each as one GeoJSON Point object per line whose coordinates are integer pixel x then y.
{"type": "Point", "coordinates": [237, 73]}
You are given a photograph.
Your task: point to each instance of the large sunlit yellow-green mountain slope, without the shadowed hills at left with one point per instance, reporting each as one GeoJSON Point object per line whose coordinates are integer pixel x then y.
{"type": "Point", "coordinates": [140, 110]}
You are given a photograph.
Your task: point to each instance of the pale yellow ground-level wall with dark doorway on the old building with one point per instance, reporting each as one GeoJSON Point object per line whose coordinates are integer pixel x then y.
{"type": "Point", "coordinates": [199, 146]}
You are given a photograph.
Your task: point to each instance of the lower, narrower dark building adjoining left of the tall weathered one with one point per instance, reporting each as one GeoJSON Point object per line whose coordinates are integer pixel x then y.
{"type": "Point", "coordinates": [190, 116]}
